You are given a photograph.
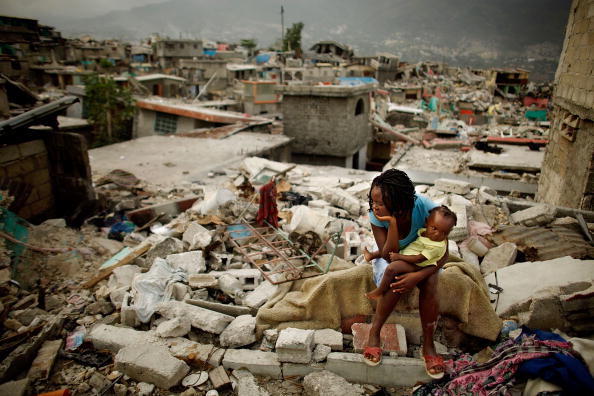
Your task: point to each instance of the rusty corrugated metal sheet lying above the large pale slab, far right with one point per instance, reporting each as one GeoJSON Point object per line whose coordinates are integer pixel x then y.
{"type": "Point", "coordinates": [546, 243]}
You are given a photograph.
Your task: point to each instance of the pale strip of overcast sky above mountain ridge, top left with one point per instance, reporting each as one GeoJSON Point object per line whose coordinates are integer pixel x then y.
{"type": "Point", "coordinates": [41, 9]}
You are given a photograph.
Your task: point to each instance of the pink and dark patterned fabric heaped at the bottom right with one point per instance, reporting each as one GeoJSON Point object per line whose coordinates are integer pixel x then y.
{"type": "Point", "coordinates": [500, 373]}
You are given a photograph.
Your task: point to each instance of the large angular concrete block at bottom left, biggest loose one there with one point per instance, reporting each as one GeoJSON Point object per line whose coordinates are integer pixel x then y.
{"type": "Point", "coordinates": [151, 363]}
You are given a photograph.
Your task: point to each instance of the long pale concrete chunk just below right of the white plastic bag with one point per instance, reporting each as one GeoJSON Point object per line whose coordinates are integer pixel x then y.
{"type": "Point", "coordinates": [203, 319]}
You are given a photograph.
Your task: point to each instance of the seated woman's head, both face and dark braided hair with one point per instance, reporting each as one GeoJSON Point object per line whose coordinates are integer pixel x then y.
{"type": "Point", "coordinates": [391, 193]}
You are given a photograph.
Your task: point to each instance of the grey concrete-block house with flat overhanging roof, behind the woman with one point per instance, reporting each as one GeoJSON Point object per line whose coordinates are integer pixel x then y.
{"type": "Point", "coordinates": [329, 124]}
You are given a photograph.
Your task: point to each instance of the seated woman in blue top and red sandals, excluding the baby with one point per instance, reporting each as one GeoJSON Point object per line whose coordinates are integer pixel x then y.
{"type": "Point", "coordinates": [393, 195]}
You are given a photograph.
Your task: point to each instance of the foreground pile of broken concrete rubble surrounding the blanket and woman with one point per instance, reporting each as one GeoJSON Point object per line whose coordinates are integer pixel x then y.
{"type": "Point", "coordinates": [171, 309]}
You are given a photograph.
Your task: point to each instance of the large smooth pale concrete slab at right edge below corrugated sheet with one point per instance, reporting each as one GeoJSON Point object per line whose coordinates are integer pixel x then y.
{"type": "Point", "coordinates": [522, 280]}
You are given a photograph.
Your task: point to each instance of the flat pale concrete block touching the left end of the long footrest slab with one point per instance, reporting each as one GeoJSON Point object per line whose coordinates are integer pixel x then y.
{"type": "Point", "coordinates": [257, 362]}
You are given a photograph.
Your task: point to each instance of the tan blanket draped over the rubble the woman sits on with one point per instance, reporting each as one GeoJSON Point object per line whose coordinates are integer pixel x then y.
{"type": "Point", "coordinates": [321, 302]}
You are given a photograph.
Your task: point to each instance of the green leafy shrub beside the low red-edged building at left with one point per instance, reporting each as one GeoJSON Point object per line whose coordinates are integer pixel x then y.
{"type": "Point", "coordinates": [110, 109]}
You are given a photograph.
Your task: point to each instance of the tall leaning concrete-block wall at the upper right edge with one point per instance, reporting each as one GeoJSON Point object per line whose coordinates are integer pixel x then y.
{"type": "Point", "coordinates": [567, 177]}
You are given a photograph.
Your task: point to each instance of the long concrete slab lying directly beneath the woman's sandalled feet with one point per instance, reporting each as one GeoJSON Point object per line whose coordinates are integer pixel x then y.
{"type": "Point", "coordinates": [351, 366]}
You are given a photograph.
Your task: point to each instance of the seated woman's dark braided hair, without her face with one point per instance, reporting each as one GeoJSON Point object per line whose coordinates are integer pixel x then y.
{"type": "Point", "coordinates": [398, 191]}
